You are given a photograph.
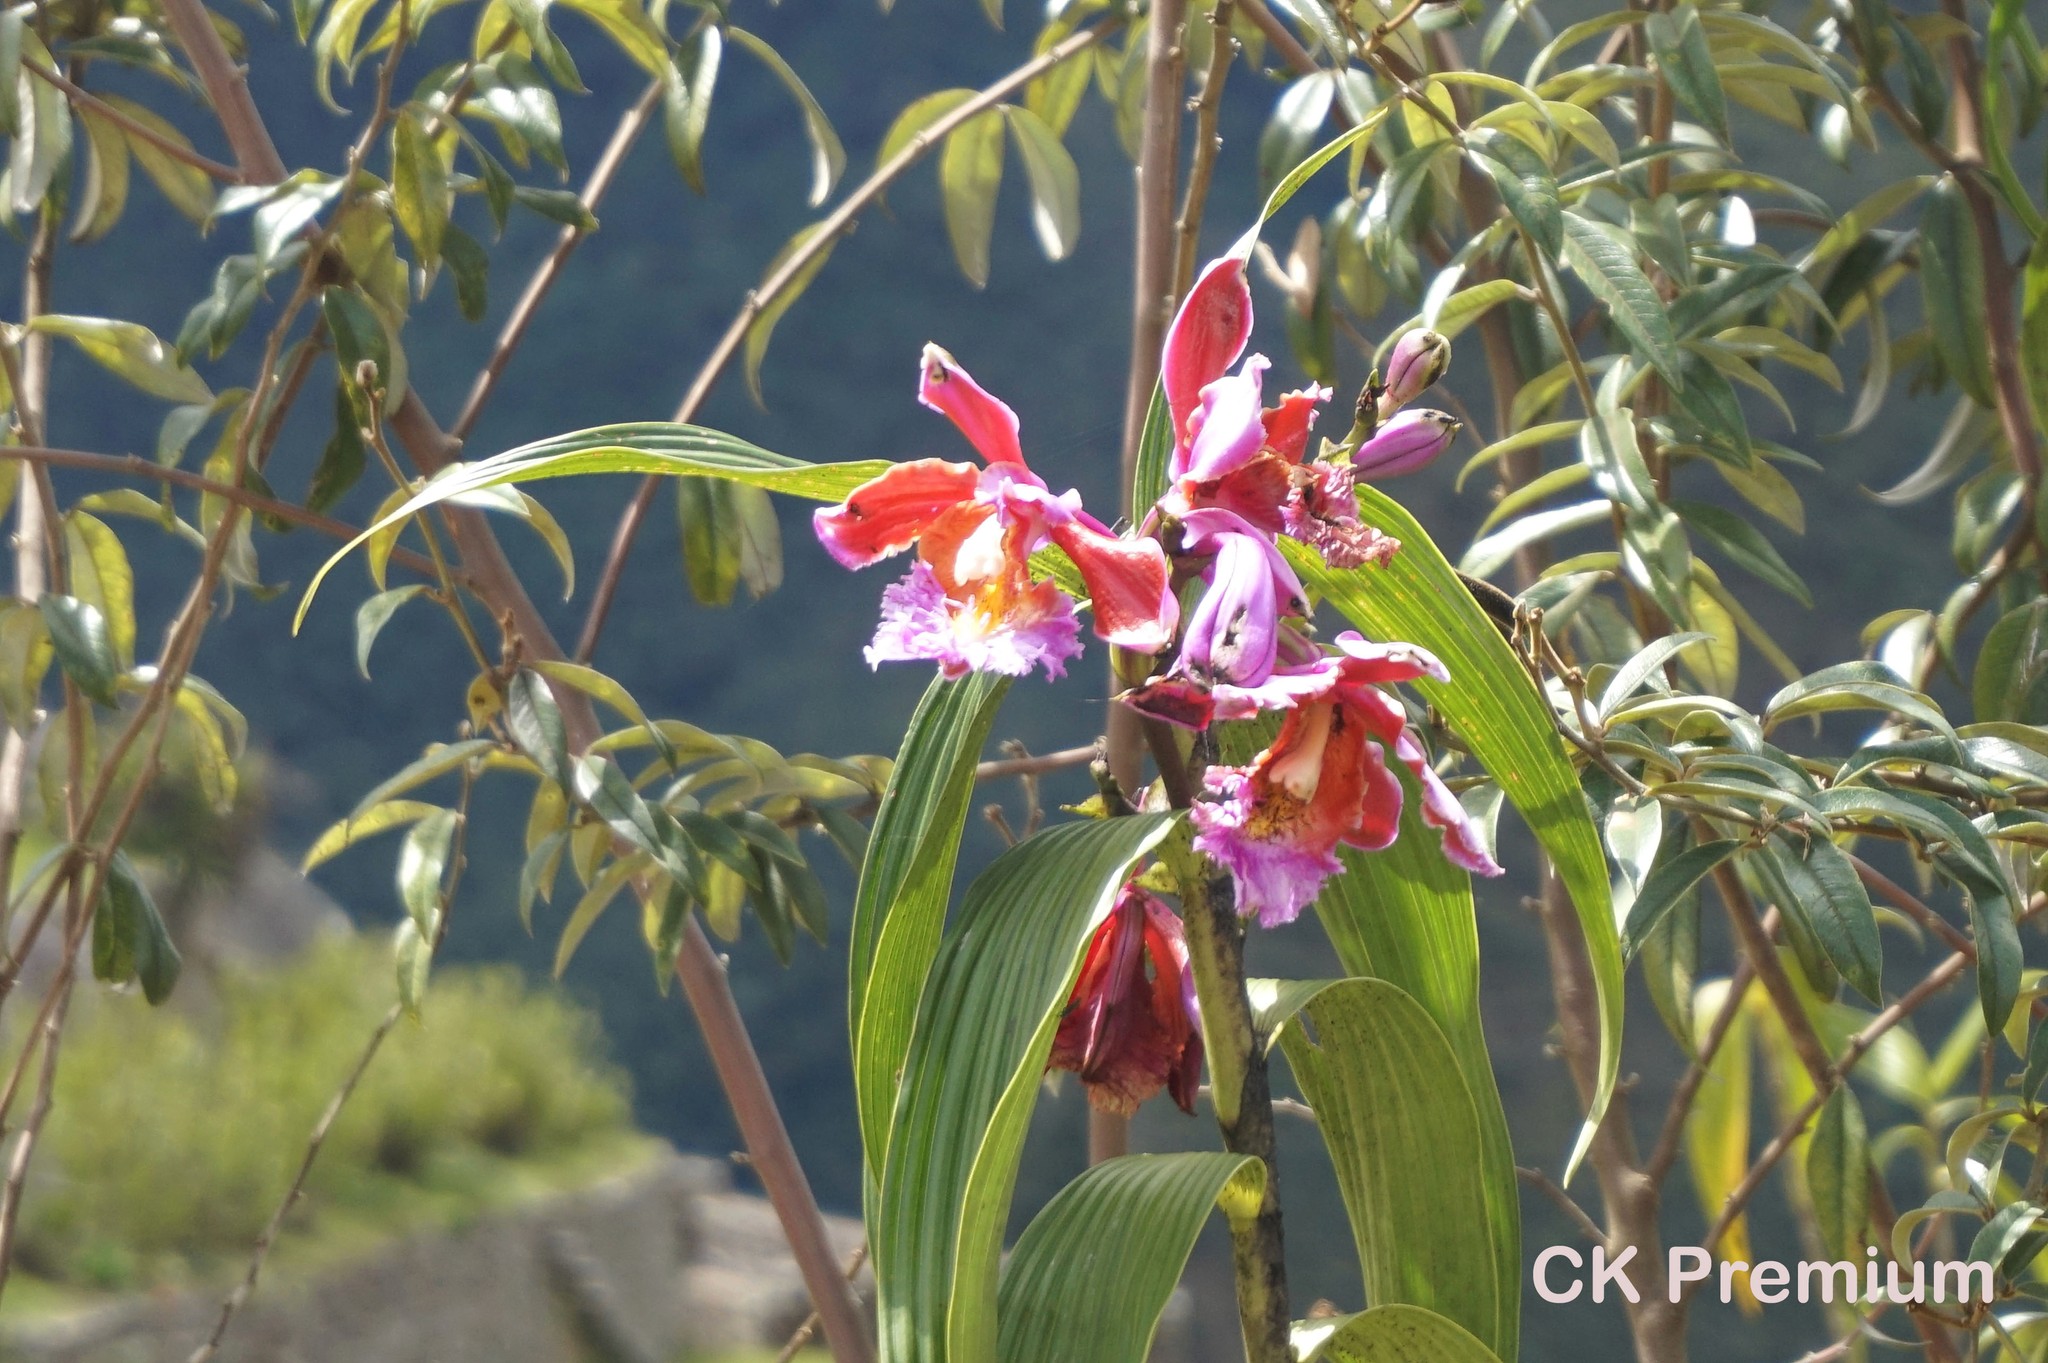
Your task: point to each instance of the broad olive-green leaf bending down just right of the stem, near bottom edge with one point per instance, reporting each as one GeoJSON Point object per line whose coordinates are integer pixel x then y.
{"type": "Point", "coordinates": [1404, 1137]}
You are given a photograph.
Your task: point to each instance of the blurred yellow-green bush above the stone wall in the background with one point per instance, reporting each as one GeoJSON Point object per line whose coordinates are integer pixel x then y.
{"type": "Point", "coordinates": [177, 1133]}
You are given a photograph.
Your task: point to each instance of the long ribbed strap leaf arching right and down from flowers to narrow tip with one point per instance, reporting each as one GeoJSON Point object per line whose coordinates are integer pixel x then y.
{"type": "Point", "coordinates": [1498, 711]}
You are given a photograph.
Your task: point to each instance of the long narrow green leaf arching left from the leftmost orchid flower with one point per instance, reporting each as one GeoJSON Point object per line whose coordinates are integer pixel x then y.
{"type": "Point", "coordinates": [650, 447]}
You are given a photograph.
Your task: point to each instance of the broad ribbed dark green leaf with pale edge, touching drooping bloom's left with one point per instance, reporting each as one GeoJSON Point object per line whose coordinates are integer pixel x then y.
{"type": "Point", "coordinates": [972, 1078]}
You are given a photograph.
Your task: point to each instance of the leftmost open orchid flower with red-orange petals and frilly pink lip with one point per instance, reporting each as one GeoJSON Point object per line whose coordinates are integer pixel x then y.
{"type": "Point", "coordinates": [972, 603]}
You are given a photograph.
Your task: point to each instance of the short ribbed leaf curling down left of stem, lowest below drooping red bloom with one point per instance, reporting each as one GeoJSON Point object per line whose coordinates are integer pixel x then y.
{"type": "Point", "coordinates": [1095, 1270]}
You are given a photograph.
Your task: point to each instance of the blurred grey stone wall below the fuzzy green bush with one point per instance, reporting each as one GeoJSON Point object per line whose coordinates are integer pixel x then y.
{"type": "Point", "coordinates": [644, 1268]}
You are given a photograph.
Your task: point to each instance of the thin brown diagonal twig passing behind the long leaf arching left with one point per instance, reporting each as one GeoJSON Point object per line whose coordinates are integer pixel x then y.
{"type": "Point", "coordinates": [822, 238]}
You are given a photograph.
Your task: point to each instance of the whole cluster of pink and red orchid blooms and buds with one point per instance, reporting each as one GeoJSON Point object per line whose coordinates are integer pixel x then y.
{"type": "Point", "coordinates": [1240, 478]}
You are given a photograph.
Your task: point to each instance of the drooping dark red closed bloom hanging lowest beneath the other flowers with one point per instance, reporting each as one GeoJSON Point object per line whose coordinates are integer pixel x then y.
{"type": "Point", "coordinates": [1132, 1026]}
